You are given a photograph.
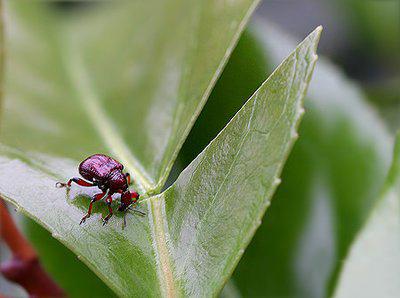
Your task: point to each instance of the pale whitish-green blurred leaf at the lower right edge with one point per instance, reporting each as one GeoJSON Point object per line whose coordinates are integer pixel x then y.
{"type": "Point", "coordinates": [372, 268]}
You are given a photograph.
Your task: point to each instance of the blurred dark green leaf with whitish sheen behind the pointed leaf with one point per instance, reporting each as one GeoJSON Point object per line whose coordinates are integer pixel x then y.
{"type": "Point", "coordinates": [329, 183]}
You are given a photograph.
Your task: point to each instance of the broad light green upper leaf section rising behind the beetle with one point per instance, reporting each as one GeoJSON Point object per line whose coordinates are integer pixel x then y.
{"type": "Point", "coordinates": [126, 78]}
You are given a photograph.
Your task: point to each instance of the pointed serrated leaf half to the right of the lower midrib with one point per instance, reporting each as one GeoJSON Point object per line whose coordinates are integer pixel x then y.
{"type": "Point", "coordinates": [217, 203]}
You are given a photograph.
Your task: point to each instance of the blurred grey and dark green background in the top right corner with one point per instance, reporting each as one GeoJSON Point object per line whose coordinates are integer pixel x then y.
{"type": "Point", "coordinates": [361, 36]}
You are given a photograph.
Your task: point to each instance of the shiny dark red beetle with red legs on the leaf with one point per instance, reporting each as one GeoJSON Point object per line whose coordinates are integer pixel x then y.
{"type": "Point", "coordinates": [106, 173]}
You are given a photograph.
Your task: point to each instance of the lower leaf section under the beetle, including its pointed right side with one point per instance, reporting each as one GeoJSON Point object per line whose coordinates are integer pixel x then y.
{"type": "Point", "coordinates": [196, 231]}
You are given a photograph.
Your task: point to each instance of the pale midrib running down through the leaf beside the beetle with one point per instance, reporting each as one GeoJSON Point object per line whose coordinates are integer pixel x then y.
{"type": "Point", "coordinates": [81, 83]}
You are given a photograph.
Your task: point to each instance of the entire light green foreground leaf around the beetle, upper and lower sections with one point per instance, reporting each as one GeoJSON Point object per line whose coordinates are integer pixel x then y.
{"type": "Point", "coordinates": [83, 94]}
